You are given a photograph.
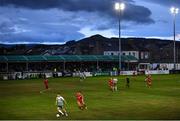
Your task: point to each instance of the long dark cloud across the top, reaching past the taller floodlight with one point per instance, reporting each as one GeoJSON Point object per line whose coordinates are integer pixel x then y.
{"type": "Point", "coordinates": [134, 12]}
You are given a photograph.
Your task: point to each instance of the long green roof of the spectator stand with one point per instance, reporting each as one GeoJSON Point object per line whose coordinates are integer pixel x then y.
{"type": "Point", "coordinates": [67, 58]}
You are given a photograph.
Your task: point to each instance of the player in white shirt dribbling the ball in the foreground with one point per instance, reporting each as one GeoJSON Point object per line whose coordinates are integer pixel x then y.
{"type": "Point", "coordinates": [60, 101]}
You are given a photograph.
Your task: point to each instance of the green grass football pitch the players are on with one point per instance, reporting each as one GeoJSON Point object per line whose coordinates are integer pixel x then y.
{"type": "Point", "coordinates": [21, 99]}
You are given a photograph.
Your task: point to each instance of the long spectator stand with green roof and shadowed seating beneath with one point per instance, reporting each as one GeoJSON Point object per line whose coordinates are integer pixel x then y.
{"type": "Point", "coordinates": [21, 66]}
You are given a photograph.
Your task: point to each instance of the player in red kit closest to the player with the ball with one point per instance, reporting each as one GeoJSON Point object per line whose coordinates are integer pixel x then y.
{"type": "Point", "coordinates": [80, 101]}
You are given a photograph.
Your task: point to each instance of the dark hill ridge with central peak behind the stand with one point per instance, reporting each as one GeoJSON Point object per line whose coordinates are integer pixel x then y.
{"type": "Point", "coordinates": [160, 50]}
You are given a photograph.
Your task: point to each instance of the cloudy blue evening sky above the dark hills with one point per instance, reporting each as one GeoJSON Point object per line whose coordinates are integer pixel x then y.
{"type": "Point", "coordinates": [58, 21]}
